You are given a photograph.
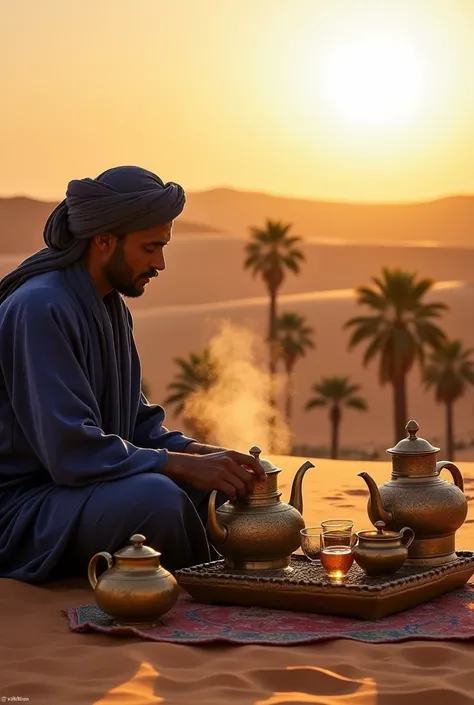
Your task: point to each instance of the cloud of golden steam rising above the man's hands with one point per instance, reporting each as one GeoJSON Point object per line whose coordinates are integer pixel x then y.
{"type": "Point", "coordinates": [237, 408]}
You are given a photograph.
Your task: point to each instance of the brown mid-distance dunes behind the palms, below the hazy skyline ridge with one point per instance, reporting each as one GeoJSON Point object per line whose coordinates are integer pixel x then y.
{"type": "Point", "coordinates": [205, 284]}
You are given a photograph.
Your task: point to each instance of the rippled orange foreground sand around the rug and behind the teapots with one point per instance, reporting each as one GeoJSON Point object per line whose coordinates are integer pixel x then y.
{"type": "Point", "coordinates": [45, 662]}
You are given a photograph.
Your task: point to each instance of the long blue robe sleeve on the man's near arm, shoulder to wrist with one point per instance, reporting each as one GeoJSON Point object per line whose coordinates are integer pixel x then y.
{"type": "Point", "coordinates": [52, 400]}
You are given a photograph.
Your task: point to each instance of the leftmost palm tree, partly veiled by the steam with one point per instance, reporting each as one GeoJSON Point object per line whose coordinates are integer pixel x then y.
{"type": "Point", "coordinates": [196, 373]}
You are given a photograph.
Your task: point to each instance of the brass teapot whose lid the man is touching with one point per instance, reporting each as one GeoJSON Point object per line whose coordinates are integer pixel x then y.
{"type": "Point", "coordinates": [259, 531]}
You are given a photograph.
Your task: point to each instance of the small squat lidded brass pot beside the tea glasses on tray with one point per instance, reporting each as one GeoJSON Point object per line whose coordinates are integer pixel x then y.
{"type": "Point", "coordinates": [382, 552]}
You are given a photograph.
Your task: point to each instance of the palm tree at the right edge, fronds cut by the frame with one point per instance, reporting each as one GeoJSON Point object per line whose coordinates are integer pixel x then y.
{"type": "Point", "coordinates": [449, 370]}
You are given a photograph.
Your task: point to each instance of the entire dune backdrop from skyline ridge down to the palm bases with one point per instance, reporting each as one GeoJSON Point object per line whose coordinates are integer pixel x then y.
{"type": "Point", "coordinates": [205, 284]}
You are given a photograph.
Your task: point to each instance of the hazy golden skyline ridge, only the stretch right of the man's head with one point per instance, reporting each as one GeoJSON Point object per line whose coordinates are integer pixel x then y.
{"type": "Point", "coordinates": [446, 220]}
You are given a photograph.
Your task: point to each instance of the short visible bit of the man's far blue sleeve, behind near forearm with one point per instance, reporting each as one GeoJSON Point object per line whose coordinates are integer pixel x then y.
{"type": "Point", "coordinates": [151, 433]}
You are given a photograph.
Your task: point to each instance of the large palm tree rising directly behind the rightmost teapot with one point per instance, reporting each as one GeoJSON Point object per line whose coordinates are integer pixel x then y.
{"type": "Point", "coordinates": [399, 331]}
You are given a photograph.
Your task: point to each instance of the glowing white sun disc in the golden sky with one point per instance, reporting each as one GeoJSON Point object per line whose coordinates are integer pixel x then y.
{"type": "Point", "coordinates": [373, 81]}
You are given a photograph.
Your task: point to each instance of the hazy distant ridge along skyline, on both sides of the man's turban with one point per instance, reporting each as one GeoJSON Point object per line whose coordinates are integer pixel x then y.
{"type": "Point", "coordinates": [444, 221]}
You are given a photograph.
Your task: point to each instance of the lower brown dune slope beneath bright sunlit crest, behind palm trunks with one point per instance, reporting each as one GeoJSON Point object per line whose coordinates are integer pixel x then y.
{"type": "Point", "coordinates": [169, 332]}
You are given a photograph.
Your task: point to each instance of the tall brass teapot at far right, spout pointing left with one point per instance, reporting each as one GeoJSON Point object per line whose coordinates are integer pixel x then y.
{"type": "Point", "coordinates": [416, 496]}
